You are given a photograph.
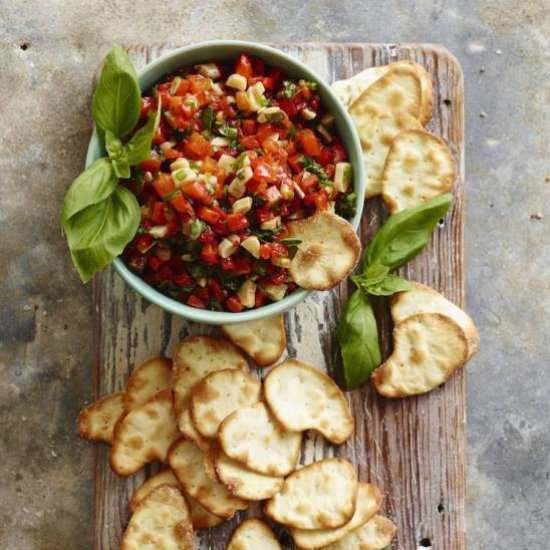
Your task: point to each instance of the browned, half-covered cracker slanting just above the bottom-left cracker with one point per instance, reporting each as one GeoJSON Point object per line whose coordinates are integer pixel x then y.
{"type": "Point", "coordinates": [187, 463]}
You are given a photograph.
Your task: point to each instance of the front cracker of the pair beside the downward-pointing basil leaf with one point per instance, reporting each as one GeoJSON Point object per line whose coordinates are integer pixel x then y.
{"type": "Point", "coordinates": [427, 349]}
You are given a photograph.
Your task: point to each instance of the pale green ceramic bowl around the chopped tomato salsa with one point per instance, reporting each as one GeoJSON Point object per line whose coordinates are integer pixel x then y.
{"type": "Point", "coordinates": [229, 49]}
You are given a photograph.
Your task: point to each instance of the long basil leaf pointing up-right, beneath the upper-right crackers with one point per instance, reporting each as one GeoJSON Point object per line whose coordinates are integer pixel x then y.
{"type": "Point", "coordinates": [405, 234]}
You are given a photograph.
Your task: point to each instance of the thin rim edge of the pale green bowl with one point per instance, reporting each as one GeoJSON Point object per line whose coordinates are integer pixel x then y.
{"type": "Point", "coordinates": [343, 118]}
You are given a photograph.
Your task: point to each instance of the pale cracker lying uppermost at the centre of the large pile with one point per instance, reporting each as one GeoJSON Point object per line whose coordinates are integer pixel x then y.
{"type": "Point", "coordinates": [253, 437]}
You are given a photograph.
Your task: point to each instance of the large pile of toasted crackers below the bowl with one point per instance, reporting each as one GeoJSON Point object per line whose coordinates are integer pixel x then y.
{"type": "Point", "coordinates": [228, 440]}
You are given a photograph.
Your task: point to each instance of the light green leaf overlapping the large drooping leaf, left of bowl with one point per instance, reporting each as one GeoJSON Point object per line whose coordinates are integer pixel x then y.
{"type": "Point", "coordinates": [94, 185]}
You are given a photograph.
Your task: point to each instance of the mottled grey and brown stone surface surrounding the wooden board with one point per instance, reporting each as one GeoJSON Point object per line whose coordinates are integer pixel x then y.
{"type": "Point", "coordinates": [48, 52]}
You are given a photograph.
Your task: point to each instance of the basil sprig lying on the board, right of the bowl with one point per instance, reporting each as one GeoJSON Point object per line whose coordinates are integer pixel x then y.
{"type": "Point", "coordinates": [402, 237]}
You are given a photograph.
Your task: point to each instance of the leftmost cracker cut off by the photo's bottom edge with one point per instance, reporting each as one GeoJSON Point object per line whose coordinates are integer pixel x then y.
{"type": "Point", "coordinates": [161, 520]}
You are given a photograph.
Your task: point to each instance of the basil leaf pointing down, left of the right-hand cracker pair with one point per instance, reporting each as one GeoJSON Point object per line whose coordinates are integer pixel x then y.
{"type": "Point", "coordinates": [357, 335]}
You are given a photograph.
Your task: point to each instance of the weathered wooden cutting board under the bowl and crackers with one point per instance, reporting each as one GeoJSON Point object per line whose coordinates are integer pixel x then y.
{"type": "Point", "coordinates": [412, 448]}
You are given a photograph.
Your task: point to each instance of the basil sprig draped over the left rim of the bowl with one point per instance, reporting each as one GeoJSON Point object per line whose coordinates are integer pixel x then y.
{"type": "Point", "coordinates": [99, 217]}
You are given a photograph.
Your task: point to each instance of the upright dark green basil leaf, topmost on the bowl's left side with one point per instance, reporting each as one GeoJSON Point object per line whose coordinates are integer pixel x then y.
{"type": "Point", "coordinates": [116, 101]}
